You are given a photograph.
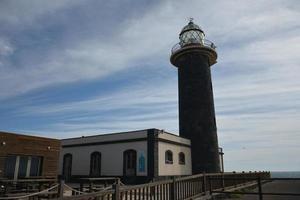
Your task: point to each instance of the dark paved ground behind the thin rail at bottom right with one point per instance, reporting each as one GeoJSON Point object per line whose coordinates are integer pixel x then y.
{"type": "Point", "coordinates": [277, 187]}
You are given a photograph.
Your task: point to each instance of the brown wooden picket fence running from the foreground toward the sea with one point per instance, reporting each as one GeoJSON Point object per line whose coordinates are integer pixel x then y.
{"type": "Point", "coordinates": [188, 187]}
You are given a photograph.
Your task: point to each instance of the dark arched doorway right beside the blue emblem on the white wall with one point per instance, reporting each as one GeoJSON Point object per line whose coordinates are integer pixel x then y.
{"type": "Point", "coordinates": [129, 162]}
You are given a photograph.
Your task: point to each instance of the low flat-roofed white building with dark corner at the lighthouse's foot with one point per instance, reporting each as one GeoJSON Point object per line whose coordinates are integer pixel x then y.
{"type": "Point", "coordinates": [137, 155]}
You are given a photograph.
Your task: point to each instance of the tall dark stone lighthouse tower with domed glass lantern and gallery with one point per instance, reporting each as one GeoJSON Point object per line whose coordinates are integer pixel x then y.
{"type": "Point", "coordinates": [193, 56]}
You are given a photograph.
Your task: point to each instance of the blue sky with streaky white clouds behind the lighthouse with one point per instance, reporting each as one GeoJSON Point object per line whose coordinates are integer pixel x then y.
{"type": "Point", "coordinates": [74, 68]}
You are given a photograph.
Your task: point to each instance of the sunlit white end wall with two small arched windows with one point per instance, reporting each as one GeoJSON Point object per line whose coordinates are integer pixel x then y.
{"type": "Point", "coordinates": [175, 168]}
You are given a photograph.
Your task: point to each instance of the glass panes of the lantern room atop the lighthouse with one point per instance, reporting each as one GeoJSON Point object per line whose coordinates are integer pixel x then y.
{"type": "Point", "coordinates": [191, 37]}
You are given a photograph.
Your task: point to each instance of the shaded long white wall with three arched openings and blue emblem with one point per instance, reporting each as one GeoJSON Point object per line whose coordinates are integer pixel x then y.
{"type": "Point", "coordinates": [111, 158]}
